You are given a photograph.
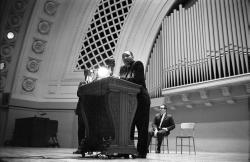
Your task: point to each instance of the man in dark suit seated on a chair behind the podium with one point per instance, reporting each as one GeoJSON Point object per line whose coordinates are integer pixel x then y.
{"type": "Point", "coordinates": [162, 125]}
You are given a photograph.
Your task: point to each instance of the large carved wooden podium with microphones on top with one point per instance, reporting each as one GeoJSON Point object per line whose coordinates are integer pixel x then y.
{"type": "Point", "coordinates": [108, 107]}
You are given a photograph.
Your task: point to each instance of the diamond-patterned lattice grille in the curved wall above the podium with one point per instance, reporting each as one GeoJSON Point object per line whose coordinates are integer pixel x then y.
{"type": "Point", "coordinates": [103, 32]}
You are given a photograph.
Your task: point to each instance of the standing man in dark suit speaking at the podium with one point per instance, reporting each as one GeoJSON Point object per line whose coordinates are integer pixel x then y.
{"type": "Point", "coordinates": [133, 71]}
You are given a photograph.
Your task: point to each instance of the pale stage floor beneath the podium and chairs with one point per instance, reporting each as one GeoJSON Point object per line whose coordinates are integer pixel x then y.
{"type": "Point", "coordinates": [20, 154]}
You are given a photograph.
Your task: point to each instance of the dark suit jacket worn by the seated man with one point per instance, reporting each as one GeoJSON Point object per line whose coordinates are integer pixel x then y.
{"type": "Point", "coordinates": [168, 122]}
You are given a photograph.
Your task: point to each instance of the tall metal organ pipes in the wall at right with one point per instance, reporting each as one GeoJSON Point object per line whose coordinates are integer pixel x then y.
{"type": "Point", "coordinates": [207, 41]}
